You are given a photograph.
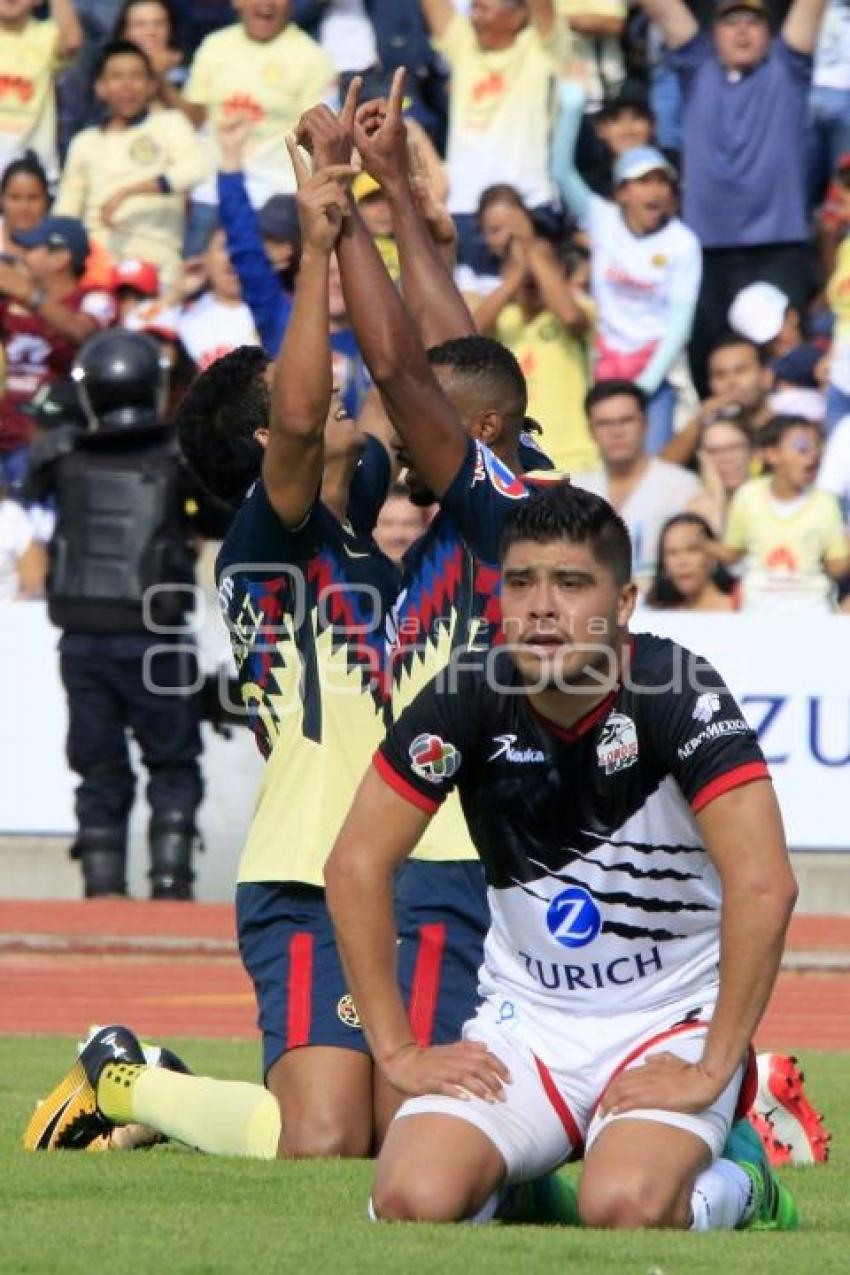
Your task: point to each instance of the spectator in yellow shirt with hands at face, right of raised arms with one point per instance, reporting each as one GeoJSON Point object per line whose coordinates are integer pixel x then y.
{"type": "Point", "coordinates": [545, 318]}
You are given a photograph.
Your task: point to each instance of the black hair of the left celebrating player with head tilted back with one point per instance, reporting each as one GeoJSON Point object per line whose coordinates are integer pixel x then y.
{"type": "Point", "coordinates": [217, 420]}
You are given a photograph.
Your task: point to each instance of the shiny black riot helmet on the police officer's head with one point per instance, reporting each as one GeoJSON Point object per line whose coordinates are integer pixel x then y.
{"type": "Point", "coordinates": [123, 382]}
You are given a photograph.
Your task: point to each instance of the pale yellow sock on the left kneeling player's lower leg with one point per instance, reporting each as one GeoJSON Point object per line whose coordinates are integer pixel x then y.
{"type": "Point", "coordinates": [221, 1118]}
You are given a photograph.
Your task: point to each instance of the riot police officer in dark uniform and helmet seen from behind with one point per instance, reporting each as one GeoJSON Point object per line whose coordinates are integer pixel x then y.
{"type": "Point", "coordinates": [119, 587]}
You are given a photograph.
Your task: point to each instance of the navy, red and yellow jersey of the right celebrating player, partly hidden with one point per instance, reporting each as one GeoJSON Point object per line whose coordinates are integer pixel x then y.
{"type": "Point", "coordinates": [449, 602]}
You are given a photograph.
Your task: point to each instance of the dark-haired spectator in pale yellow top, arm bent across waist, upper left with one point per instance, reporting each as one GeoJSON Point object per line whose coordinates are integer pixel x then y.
{"type": "Point", "coordinates": [128, 179]}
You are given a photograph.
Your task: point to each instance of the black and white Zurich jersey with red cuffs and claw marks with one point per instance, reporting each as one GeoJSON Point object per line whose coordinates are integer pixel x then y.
{"type": "Point", "coordinates": [602, 896]}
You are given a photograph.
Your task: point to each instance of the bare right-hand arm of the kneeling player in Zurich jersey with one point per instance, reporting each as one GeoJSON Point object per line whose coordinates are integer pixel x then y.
{"type": "Point", "coordinates": [745, 837]}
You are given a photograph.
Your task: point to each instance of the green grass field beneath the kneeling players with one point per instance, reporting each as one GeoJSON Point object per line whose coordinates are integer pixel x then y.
{"type": "Point", "coordinates": [170, 1212]}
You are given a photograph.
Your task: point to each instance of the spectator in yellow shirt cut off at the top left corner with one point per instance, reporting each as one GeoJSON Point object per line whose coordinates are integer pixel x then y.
{"type": "Point", "coordinates": [31, 53]}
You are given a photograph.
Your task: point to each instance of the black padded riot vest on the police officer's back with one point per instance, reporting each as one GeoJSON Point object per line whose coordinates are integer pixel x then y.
{"type": "Point", "coordinates": [122, 530]}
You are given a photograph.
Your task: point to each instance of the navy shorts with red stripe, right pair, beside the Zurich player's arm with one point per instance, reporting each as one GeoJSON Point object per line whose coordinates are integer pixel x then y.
{"type": "Point", "coordinates": [443, 919]}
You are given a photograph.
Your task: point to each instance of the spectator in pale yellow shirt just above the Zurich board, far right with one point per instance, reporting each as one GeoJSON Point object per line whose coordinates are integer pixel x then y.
{"type": "Point", "coordinates": [791, 534]}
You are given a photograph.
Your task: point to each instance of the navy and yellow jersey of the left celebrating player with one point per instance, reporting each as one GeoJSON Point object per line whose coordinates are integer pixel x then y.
{"type": "Point", "coordinates": [306, 610]}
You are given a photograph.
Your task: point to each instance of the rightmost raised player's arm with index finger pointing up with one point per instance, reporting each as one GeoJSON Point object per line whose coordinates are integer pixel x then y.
{"type": "Point", "coordinates": [429, 288]}
